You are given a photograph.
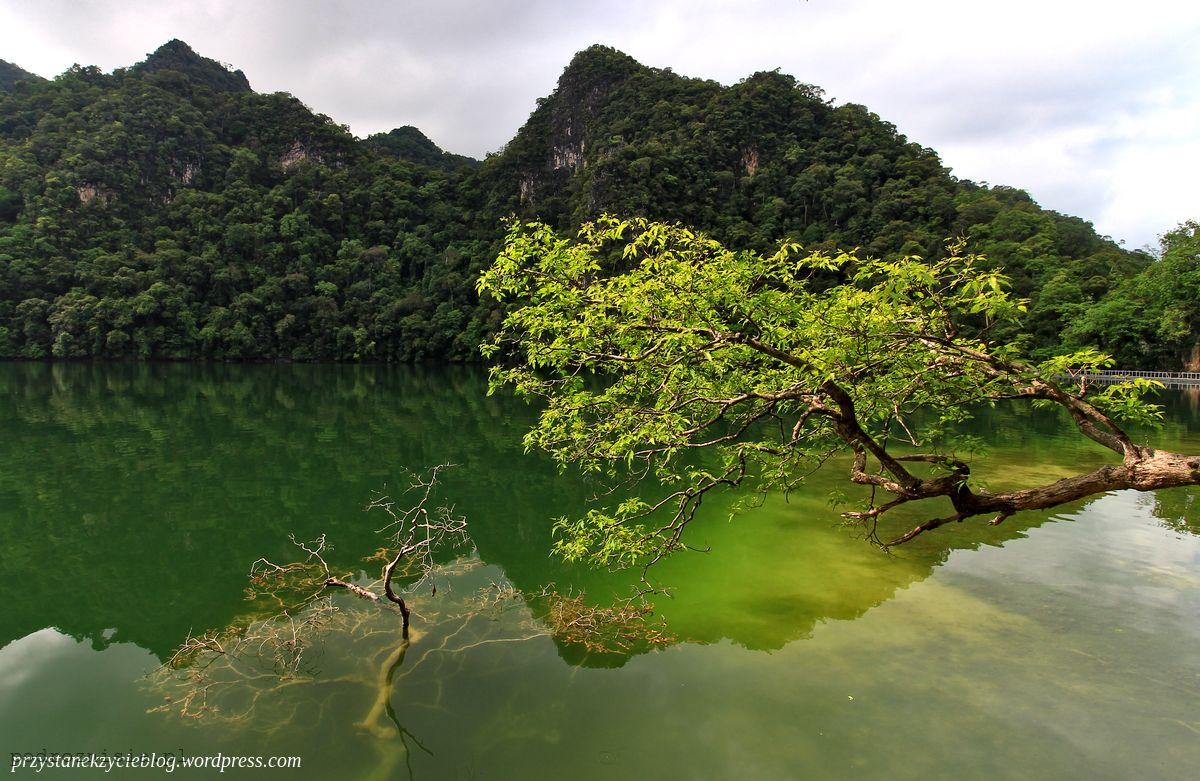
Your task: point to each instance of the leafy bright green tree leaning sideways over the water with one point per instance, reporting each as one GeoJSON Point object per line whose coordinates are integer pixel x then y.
{"type": "Point", "coordinates": [649, 344]}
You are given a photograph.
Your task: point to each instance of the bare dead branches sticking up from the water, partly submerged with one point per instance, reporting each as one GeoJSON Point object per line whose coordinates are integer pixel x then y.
{"type": "Point", "coordinates": [266, 669]}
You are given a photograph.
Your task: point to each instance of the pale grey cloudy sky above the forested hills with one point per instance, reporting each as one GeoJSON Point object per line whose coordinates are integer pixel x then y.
{"type": "Point", "coordinates": [1091, 106]}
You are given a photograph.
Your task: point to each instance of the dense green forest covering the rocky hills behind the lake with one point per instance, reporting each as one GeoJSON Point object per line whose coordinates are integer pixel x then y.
{"type": "Point", "coordinates": [170, 212]}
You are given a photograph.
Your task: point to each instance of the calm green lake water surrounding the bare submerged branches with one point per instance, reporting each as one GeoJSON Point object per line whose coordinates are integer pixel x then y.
{"type": "Point", "coordinates": [135, 498]}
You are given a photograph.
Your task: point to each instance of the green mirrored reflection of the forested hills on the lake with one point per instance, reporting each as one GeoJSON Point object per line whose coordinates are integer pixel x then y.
{"type": "Point", "coordinates": [134, 498]}
